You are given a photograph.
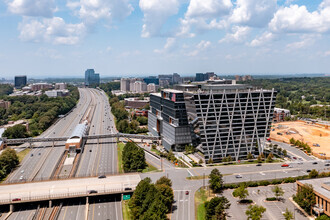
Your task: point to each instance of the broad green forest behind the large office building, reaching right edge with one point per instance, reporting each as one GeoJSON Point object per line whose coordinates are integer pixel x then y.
{"type": "Point", "coordinates": [291, 91]}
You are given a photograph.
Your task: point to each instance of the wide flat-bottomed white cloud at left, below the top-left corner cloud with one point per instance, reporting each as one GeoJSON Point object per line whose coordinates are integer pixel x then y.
{"type": "Point", "coordinates": [52, 30]}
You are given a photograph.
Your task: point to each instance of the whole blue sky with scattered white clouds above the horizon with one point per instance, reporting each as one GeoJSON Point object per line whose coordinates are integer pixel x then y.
{"type": "Point", "coordinates": [62, 38]}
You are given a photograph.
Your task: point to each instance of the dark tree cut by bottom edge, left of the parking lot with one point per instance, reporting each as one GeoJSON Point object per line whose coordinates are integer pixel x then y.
{"type": "Point", "coordinates": [216, 208]}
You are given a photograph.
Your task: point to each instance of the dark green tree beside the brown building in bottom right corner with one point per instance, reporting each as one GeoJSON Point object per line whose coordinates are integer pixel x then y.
{"type": "Point", "coordinates": [305, 197]}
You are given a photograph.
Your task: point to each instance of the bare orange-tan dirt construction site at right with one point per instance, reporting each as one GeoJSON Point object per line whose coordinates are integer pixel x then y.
{"type": "Point", "coordinates": [315, 135]}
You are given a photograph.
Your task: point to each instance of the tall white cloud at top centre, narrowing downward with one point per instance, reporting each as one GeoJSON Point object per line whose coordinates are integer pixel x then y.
{"type": "Point", "coordinates": [156, 12]}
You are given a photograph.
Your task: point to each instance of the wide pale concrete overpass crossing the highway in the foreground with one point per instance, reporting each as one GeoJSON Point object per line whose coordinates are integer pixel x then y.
{"type": "Point", "coordinates": [70, 188]}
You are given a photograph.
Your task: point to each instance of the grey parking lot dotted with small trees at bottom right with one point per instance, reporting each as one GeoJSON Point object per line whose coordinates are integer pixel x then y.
{"type": "Point", "coordinates": [274, 210]}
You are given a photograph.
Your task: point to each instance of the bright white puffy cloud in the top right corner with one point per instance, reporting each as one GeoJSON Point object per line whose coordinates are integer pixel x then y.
{"type": "Point", "coordinates": [297, 19]}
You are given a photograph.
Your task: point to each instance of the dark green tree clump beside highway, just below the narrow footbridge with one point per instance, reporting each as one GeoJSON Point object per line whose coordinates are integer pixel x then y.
{"type": "Point", "coordinates": [133, 158]}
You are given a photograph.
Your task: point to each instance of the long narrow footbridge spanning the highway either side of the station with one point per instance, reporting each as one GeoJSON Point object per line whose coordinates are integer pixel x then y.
{"type": "Point", "coordinates": [101, 136]}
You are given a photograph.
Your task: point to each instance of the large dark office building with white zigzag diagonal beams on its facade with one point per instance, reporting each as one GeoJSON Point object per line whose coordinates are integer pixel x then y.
{"type": "Point", "coordinates": [230, 119]}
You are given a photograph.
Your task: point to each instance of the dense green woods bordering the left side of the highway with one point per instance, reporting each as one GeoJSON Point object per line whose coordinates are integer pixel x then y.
{"type": "Point", "coordinates": [39, 111]}
